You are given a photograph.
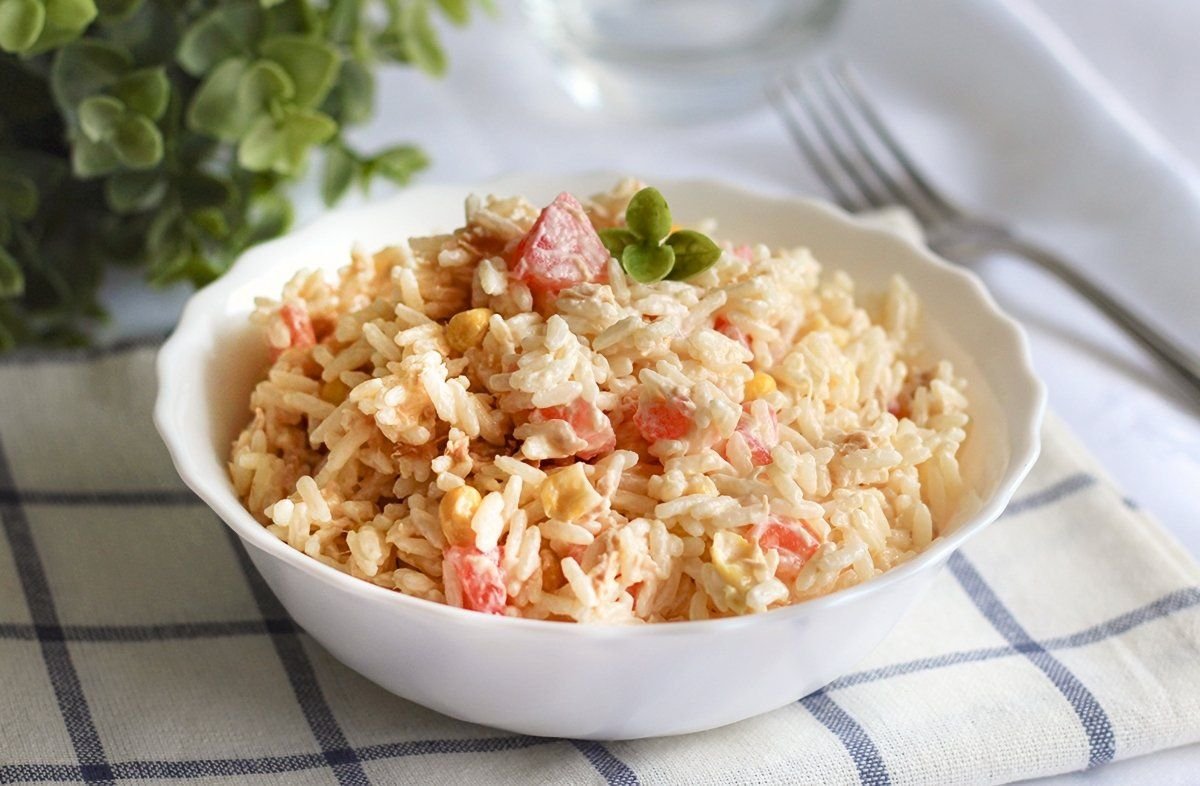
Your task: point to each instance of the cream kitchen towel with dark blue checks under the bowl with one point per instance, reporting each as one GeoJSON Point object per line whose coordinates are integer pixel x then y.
{"type": "Point", "coordinates": [139, 645]}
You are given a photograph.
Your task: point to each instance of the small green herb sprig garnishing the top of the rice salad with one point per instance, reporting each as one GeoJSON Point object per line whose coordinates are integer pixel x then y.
{"type": "Point", "coordinates": [650, 251]}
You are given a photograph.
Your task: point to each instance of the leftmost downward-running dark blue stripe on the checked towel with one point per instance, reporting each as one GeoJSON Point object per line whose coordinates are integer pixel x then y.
{"type": "Point", "coordinates": [56, 653]}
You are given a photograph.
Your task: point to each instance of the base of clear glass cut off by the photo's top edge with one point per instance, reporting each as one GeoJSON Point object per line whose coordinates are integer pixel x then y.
{"type": "Point", "coordinates": [677, 59]}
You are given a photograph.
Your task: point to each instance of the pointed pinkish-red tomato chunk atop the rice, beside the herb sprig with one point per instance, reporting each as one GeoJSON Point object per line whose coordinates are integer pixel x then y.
{"type": "Point", "coordinates": [562, 249]}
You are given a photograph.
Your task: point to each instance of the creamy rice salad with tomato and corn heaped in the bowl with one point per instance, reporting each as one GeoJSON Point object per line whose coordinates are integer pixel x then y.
{"type": "Point", "coordinates": [505, 421]}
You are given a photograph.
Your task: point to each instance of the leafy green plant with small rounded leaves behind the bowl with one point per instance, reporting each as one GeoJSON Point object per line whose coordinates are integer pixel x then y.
{"type": "Point", "coordinates": [159, 135]}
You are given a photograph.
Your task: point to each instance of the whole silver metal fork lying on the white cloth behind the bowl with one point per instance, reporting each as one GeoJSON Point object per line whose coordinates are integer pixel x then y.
{"type": "Point", "coordinates": [859, 159]}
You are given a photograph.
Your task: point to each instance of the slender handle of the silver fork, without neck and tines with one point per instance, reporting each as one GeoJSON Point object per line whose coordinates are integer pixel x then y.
{"type": "Point", "coordinates": [1183, 363]}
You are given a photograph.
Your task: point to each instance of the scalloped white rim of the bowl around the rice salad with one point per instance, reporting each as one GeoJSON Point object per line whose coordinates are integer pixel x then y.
{"type": "Point", "coordinates": [1025, 448]}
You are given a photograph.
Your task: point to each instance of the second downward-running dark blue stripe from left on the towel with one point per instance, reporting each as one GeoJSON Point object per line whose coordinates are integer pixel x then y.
{"type": "Point", "coordinates": [340, 757]}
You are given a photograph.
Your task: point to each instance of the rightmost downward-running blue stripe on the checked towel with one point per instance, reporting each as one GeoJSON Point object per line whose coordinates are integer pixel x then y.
{"type": "Point", "coordinates": [1101, 739]}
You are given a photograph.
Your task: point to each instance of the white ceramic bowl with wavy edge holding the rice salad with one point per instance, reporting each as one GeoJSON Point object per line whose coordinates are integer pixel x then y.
{"type": "Point", "coordinates": [585, 681]}
